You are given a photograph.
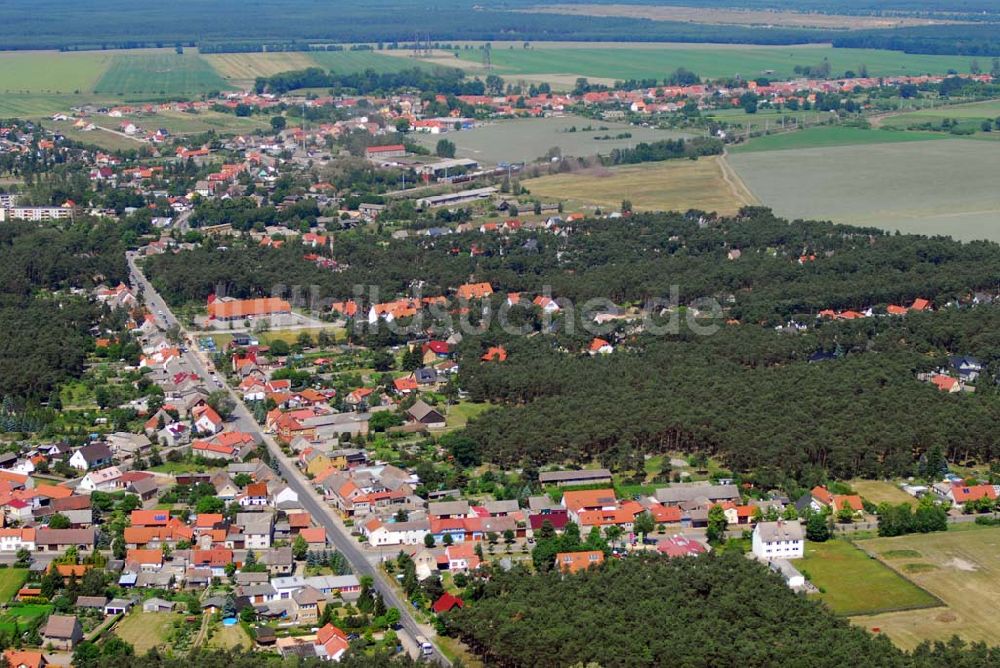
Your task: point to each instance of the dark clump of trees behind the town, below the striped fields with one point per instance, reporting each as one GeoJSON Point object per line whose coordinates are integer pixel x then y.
{"type": "Point", "coordinates": [439, 80]}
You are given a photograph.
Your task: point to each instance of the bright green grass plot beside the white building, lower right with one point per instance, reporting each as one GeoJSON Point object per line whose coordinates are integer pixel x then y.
{"type": "Point", "coordinates": [856, 584]}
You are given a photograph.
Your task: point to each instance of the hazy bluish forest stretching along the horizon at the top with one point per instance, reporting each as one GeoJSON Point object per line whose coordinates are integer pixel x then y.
{"type": "Point", "coordinates": [298, 24]}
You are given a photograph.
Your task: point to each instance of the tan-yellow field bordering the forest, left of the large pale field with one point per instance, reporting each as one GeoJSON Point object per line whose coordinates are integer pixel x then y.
{"type": "Point", "coordinates": [671, 185]}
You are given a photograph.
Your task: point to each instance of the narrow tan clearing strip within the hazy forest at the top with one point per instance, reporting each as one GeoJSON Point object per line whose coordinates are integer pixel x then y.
{"type": "Point", "coordinates": [744, 17]}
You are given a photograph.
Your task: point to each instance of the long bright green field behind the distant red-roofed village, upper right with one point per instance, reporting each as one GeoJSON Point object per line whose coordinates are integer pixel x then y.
{"type": "Point", "coordinates": [625, 61]}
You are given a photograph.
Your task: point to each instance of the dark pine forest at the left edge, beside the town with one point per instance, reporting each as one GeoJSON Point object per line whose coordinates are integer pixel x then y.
{"type": "Point", "coordinates": [43, 337]}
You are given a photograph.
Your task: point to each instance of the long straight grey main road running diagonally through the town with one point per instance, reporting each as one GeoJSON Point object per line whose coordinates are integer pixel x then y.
{"type": "Point", "coordinates": [336, 532]}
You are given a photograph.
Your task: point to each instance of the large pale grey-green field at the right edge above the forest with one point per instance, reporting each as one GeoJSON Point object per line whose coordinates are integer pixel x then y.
{"type": "Point", "coordinates": [925, 187]}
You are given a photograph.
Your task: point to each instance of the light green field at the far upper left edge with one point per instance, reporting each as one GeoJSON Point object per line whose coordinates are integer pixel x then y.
{"type": "Point", "coordinates": [51, 71]}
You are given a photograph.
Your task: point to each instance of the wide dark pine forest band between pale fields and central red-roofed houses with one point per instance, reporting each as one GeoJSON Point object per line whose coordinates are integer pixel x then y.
{"type": "Point", "coordinates": [629, 261]}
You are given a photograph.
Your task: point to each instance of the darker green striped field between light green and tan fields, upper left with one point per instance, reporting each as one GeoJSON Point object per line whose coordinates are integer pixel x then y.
{"type": "Point", "coordinates": [154, 74]}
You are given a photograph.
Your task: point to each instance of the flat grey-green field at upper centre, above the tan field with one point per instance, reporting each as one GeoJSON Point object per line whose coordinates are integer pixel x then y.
{"type": "Point", "coordinates": [527, 140]}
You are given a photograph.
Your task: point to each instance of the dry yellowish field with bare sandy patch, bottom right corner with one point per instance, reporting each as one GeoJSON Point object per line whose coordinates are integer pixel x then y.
{"type": "Point", "coordinates": [962, 568]}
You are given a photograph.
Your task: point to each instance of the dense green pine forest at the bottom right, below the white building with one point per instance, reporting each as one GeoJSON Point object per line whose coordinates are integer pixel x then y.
{"type": "Point", "coordinates": [704, 611]}
